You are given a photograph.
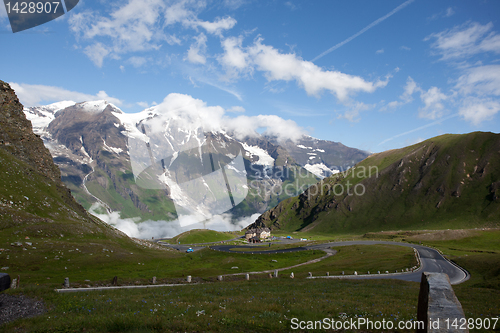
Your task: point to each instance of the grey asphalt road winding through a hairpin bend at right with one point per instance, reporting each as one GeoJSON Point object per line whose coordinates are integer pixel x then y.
{"type": "Point", "coordinates": [431, 260]}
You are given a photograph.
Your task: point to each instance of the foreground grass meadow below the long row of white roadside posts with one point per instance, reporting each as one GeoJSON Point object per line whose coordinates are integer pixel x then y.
{"type": "Point", "coordinates": [263, 305]}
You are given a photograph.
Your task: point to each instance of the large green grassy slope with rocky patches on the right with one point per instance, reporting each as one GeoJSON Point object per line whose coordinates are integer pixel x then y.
{"type": "Point", "coordinates": [450, 181]}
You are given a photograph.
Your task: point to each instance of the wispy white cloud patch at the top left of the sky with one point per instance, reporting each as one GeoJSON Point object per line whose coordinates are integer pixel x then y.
{"type": "Point", "coordinates": [140, 26]}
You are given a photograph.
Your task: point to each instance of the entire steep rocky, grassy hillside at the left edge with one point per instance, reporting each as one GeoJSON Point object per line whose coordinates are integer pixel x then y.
{"type": "Point", "coordinates": [32, 195]}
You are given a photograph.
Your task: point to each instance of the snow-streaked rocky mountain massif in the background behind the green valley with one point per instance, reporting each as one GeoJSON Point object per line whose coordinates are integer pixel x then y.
{"type": "Point", "coordinates": [154, 165]}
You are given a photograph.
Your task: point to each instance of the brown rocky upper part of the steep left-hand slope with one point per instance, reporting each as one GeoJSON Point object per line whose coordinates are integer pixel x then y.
{"type": "Point", "coordinates": [17, 137]}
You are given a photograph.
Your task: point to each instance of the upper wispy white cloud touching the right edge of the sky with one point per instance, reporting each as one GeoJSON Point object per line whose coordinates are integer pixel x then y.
{"type": "Point", "coordinates": [466, 40]}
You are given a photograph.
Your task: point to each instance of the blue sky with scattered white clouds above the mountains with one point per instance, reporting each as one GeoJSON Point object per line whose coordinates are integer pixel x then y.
{"type": "Point", "coordinates": [374, 75]}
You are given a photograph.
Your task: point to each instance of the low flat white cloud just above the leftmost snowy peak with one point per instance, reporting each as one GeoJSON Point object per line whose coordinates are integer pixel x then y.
{"type": "Point", "coordinates": [34, 95]}
